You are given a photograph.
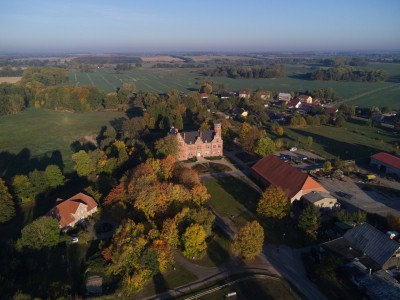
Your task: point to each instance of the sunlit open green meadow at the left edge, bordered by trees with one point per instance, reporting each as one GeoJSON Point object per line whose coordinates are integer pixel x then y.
{"type": "Point", "coordinates": [43, 131]}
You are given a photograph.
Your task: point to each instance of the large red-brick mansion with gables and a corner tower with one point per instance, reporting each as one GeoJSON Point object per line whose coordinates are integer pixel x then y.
{"type": "Point", "coordinates": [204, 143]}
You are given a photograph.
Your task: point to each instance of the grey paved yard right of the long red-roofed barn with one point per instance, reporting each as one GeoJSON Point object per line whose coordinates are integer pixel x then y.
{"type": "Point", "coordinates": [353, 194]}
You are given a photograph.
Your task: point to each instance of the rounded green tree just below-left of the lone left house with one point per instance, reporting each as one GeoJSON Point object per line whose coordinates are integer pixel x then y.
{"type": "Point", "coordinates": [41, 233]}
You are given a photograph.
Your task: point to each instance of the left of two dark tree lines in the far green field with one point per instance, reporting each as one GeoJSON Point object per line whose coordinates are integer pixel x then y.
{"type": "Point", "coordinates": [246, 72]}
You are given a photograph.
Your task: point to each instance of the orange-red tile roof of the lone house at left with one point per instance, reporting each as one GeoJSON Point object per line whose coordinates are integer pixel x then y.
{"type": "Point", "coordinates": [65, 210]}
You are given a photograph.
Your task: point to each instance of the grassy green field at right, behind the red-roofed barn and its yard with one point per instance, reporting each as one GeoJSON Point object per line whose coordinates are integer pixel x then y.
{"type": "Point", "coordinates": [352, 141]}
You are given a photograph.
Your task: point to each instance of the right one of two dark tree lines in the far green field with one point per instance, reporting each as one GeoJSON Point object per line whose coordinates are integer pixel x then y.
{"type": "Point", "coordinates": [348, 73]}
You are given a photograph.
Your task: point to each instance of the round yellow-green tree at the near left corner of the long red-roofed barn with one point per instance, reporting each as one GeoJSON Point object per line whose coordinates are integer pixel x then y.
{"type": "Point", "coordinates": [273, 203]}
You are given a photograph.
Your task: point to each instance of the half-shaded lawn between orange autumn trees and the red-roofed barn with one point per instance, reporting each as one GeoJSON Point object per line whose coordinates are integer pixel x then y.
{"type": "Point", "coordinates": [233, 198]}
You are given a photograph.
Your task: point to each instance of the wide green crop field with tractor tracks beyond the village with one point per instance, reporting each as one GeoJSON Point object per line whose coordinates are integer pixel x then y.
{"type": "Point", "coordinates": [163, 80]}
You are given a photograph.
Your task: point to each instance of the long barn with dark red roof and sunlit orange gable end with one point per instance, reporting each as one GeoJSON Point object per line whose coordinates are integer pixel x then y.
{"type": "Point", "coordinates": [274, 171]}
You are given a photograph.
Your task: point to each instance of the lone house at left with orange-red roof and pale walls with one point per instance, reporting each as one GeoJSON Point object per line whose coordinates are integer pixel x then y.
{"type": "Point", "coordinates": [69, 212]}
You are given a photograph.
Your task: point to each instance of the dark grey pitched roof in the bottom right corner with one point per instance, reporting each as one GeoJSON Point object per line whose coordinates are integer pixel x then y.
{"type": "Point", "coordinates": [372, 242]}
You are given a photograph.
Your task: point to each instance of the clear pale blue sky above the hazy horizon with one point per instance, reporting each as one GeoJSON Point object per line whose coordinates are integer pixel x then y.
{"type": "Point", "coordinates": [138, 26]}
